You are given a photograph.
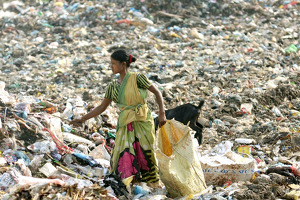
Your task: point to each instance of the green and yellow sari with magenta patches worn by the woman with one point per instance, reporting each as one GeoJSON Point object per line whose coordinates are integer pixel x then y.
{"type": "Point", "coordinates": [133, 154]}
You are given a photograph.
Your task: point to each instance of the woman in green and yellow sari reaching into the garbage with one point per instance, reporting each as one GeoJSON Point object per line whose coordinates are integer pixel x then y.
{"type": "Point", "coordinates": [133, 153]}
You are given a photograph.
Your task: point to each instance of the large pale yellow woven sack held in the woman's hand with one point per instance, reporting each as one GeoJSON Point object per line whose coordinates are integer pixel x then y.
{"type": "Point", "coordinates": [179, 167]}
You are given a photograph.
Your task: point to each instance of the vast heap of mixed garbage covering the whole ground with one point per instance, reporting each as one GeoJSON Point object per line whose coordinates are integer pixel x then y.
{"type": "Point", "coordinates": [241, 57]}
